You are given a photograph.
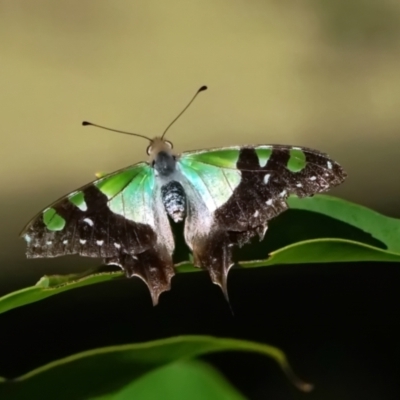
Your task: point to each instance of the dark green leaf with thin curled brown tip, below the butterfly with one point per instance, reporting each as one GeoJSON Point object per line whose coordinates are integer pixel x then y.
{"type": "Point", "coordinates": [110, 370]}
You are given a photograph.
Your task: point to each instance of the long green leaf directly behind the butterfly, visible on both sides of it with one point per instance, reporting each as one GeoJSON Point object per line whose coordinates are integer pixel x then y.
{"type": "Point", "coordinates": [318, 230]}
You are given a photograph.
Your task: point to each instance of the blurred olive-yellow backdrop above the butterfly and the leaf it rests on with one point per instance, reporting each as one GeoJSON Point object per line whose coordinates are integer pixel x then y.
{"type": "Point", "coordinates": [323, 74]}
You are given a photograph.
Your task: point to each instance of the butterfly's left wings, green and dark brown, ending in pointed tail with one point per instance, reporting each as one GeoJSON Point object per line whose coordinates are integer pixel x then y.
{"type": "Point", "coordinates": [120, 218]}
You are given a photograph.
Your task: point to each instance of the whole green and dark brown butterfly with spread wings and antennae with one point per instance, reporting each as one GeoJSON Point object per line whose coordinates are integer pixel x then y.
{"type": "Point", "coordinates": [225, 196]}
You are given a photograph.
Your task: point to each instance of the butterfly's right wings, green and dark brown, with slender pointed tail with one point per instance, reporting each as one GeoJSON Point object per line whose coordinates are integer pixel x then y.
{"type": "Point", "coordinates": [234, 191]}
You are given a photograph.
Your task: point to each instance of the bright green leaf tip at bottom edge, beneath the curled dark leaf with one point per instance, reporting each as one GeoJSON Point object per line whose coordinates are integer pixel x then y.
{"type": "Point", "coordinates": [182, 380]}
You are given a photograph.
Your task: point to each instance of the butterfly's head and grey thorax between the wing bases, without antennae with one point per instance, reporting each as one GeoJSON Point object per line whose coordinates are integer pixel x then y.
{"type": "Point", "coordinates": [161, 156]}
